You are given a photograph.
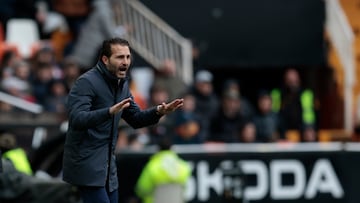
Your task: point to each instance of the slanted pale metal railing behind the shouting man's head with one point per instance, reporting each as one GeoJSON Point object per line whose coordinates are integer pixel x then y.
{"type": "Point", "coordinates": [153, 39]}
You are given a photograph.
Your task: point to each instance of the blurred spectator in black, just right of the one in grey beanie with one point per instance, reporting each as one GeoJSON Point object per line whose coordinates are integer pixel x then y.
{"type": "Point", "coordinates": [224, 126]}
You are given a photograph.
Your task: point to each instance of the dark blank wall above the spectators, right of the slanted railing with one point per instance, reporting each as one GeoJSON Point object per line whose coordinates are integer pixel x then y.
{"type": "Point", "coordinates": [249, 32]}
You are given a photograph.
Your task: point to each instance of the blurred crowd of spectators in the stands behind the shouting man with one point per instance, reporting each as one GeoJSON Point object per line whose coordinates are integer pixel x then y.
{"type": "Point", "coordinates": [67, 48]}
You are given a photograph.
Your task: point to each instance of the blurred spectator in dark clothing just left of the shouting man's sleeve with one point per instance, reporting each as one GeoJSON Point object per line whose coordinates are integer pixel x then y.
{"type": "Point", "coordinates": [56, 99]}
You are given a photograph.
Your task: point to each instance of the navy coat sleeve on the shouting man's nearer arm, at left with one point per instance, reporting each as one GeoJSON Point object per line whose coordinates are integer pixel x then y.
{"type": "Point", "coordinates": [81, 115]}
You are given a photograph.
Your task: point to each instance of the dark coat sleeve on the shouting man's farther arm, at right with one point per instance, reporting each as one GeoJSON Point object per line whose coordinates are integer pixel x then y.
{"type": "Point", "coordinates": [138, 118]}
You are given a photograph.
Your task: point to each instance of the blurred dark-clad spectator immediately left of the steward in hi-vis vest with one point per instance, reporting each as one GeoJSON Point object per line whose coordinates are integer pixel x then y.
{"type": "Point", "coordinates": [265, 120]}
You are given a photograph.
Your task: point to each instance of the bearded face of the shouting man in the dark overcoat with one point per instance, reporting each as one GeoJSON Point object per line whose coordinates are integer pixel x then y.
{"type": "Point", "coordinates": [119, 61]}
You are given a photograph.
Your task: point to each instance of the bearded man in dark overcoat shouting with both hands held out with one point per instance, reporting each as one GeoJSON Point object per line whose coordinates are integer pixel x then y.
{"type": "Point", "coordinates": [96, 103]}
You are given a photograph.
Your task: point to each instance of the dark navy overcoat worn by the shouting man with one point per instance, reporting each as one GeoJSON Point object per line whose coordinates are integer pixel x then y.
{"type": "Point", "coordinates": [92, 129]}
